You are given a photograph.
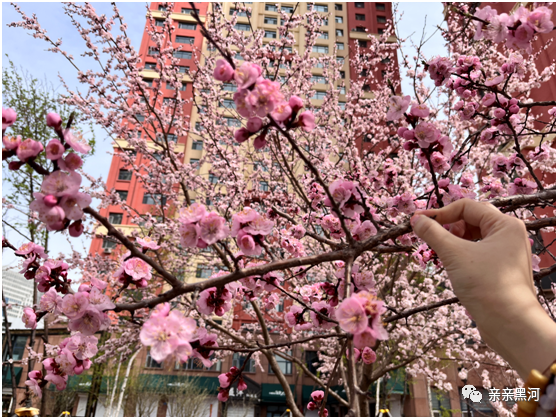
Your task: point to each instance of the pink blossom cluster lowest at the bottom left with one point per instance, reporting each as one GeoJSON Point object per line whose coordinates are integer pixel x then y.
{"type": "Point", "coordinates": [71, 358]}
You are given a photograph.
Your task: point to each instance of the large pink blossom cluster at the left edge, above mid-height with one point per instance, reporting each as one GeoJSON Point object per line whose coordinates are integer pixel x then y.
{"type": "Point", "coordinates": [59, 204]}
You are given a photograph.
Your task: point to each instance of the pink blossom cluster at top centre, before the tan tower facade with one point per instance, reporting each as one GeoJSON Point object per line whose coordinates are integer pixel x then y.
{"type": "Point", "coordinates": [258, 98]}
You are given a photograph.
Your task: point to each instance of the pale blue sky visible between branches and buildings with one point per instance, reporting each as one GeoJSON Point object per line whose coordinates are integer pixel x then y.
{"type": "Point", "coordinates": [30, 54]}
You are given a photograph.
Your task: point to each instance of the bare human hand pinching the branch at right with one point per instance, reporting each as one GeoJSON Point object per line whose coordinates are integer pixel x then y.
{"type": "Point", "coordinates": [492, 277]}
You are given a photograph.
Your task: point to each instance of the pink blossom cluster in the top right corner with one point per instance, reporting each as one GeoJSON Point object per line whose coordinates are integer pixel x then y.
{"type": "Point", "coordinates": [517, 29]}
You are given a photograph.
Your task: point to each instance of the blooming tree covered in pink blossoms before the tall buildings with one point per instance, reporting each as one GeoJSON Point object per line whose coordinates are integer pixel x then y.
{"type": "Point", "coordinates": [330, 238]}
